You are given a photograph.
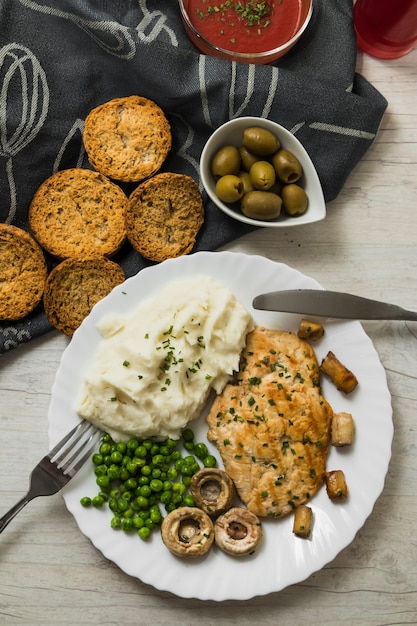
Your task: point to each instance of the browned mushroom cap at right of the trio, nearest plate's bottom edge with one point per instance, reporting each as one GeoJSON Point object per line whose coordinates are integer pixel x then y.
{"type": "Point", "coordinates": [238, 532]}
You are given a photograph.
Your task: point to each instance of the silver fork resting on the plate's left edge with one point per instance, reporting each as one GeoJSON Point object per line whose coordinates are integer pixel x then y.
{"type": "Point", "coordinates": [58, 466]}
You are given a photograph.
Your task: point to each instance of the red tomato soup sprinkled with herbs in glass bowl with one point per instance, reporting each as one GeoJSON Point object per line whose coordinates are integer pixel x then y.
{"type": "Point", "coordinates": [246, 26]}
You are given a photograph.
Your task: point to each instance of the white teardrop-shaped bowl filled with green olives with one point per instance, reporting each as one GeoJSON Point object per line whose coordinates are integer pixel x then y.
{"type": "Point", "coordinates": [257, 172]}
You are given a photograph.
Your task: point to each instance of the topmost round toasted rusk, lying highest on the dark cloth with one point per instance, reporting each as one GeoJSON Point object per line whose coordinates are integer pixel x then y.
{"type": "Point", "coordinates": [127, 139]}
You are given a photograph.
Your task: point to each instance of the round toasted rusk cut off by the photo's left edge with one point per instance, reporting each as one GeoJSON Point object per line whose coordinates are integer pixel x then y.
{"type": "Point", "coordinates": [22, 273]}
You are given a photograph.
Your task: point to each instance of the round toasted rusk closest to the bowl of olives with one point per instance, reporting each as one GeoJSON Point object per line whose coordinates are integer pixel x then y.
{"type": "Point", "coordinates": [164, 216]}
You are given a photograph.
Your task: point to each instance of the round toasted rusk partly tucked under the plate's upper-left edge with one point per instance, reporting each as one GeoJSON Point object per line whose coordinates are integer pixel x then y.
{"type": "Point", "coordinates": [74, 286]}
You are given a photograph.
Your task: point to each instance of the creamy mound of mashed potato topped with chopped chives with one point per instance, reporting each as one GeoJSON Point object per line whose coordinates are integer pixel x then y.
{"type": "Point", "coordinates": [153, 370]}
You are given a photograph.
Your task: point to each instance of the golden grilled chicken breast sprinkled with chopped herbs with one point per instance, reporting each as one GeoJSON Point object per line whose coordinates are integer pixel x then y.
{"type": "Point", "coordinates": [272, 428]}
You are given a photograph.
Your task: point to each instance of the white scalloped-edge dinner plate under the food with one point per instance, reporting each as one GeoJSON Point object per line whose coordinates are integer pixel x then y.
{"type": "Point", "coordinates": [283, 559]}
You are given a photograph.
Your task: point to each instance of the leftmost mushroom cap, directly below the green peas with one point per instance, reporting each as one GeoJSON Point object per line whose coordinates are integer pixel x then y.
{"type": "Point", "coordinates": [187, 531]}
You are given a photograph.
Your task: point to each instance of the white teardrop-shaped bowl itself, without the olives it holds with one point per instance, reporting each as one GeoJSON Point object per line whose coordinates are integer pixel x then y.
{"type": "Point", "coordinates": [289, 221]}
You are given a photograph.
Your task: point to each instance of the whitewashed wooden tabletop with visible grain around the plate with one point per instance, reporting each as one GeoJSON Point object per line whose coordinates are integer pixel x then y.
{"type": "Point", "coordinates": [51, 574]}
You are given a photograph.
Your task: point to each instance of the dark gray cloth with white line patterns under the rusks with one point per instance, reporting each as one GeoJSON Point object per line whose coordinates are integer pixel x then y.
{"type": "Point", "coordinates": [61, 58]}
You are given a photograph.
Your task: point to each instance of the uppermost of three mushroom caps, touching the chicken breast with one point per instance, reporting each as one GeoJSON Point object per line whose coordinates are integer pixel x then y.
{"type": "Point", "coordinates": [213, 490]}
